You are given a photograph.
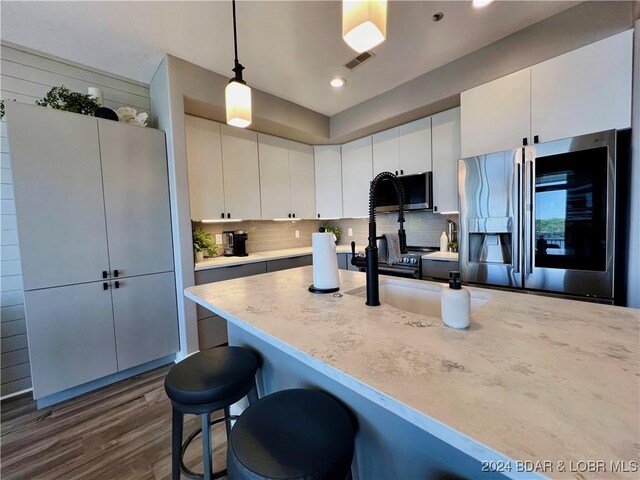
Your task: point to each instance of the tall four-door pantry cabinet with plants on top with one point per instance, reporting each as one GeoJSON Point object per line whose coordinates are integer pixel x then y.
{"type": "Point", "coordinates": [94, 227]}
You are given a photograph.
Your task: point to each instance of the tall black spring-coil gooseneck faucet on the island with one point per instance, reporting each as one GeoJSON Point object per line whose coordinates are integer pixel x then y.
{"type": "Point", "coordinates": [370, 261]}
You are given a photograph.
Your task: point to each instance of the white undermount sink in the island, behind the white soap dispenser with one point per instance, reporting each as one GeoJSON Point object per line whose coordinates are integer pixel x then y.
{"type": "Point", "coordinates": [415, 297]}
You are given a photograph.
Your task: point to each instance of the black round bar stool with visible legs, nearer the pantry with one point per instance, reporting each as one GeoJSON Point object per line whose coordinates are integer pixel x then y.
{"type": "Point", "coordinates": [201, 384]}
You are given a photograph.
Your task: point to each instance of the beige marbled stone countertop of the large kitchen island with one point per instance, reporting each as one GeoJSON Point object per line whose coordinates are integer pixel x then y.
{"type": "Point", "coordinates": [534, 378]}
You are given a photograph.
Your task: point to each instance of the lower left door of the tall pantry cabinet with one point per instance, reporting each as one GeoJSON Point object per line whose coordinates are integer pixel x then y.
{"type": "Point", "coordinates": [71, 336]}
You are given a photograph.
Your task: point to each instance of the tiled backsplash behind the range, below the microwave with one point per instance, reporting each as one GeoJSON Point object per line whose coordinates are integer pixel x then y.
{"type": "Point", "coordinates": [423, 228]}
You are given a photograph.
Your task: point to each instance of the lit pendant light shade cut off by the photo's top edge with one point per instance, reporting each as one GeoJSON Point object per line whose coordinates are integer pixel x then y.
{"type": "Point", "coordinates": [364, 23]}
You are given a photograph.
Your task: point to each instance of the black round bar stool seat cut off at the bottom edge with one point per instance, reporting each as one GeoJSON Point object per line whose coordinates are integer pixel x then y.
{"type": "Point", "coordinates": [292, 434]}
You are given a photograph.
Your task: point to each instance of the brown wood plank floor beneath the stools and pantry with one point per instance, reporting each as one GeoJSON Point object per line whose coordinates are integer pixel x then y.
{"type": "Point", "coordinates": [122, 431]}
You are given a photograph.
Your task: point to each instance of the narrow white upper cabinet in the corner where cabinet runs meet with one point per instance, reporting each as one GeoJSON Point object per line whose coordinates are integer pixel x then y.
{"type": "Point", "coordinates": [328, 173]}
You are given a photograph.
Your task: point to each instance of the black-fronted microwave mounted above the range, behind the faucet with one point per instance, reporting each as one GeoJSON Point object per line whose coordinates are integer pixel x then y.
{"type": "Point", "coordinates": [418, 193]}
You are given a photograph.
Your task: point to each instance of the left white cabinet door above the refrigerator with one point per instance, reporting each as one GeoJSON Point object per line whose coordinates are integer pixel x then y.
{"type": "Point", "coordinates": [496, 116]}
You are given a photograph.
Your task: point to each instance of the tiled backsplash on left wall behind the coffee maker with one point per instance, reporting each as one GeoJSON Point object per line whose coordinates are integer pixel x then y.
{"type": "Point", "coordinates": [268, 235]}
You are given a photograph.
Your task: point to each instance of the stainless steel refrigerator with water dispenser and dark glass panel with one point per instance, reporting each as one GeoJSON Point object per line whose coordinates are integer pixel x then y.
{"type": "Point", "coordinates": [541, 217]}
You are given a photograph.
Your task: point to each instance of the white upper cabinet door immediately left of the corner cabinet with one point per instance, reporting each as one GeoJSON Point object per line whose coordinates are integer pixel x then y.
{"type": "Point", "coordinates": [302, 180]}
